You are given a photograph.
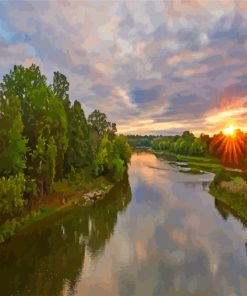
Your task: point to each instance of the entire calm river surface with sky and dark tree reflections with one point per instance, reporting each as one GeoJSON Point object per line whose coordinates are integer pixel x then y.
{"type": "Point", "coordinates": [157, 233]}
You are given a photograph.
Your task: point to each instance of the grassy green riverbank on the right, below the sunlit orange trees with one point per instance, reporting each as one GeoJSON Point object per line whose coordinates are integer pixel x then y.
{"type": "Point", "coordinates": [229, 186]}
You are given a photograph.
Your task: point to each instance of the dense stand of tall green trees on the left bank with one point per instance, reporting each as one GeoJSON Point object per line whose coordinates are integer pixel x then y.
{"type": "Point", "coordinates": [44, 137]}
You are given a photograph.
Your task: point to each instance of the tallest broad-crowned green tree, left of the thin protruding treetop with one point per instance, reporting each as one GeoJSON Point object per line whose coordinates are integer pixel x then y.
{"type": "Point", "coordinates": [42, 112]}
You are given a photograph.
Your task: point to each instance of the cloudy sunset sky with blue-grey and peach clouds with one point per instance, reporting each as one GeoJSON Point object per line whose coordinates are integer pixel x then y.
{"type": "Point", "coordinates": [154, 67]}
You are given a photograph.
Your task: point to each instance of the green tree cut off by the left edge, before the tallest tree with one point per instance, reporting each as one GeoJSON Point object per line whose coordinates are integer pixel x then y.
{"type": "Point", "coordinates": [12, 143]}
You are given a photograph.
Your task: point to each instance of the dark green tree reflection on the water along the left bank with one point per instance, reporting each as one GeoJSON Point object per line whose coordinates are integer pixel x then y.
{"type": "Point", "coordinates": [52, 255]}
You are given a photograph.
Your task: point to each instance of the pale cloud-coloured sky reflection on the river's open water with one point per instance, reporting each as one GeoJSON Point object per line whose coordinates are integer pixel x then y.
{"type": "Point", "coordinates": [171, 239]}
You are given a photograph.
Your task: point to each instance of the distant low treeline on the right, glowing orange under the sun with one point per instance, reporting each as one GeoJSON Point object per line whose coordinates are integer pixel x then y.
{"type": "Point", "coordinates": [231, 150]}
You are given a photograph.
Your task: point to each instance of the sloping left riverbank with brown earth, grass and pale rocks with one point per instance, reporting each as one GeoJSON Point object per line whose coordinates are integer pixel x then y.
{"type": "Point", "coordinates": [66, 193]}
